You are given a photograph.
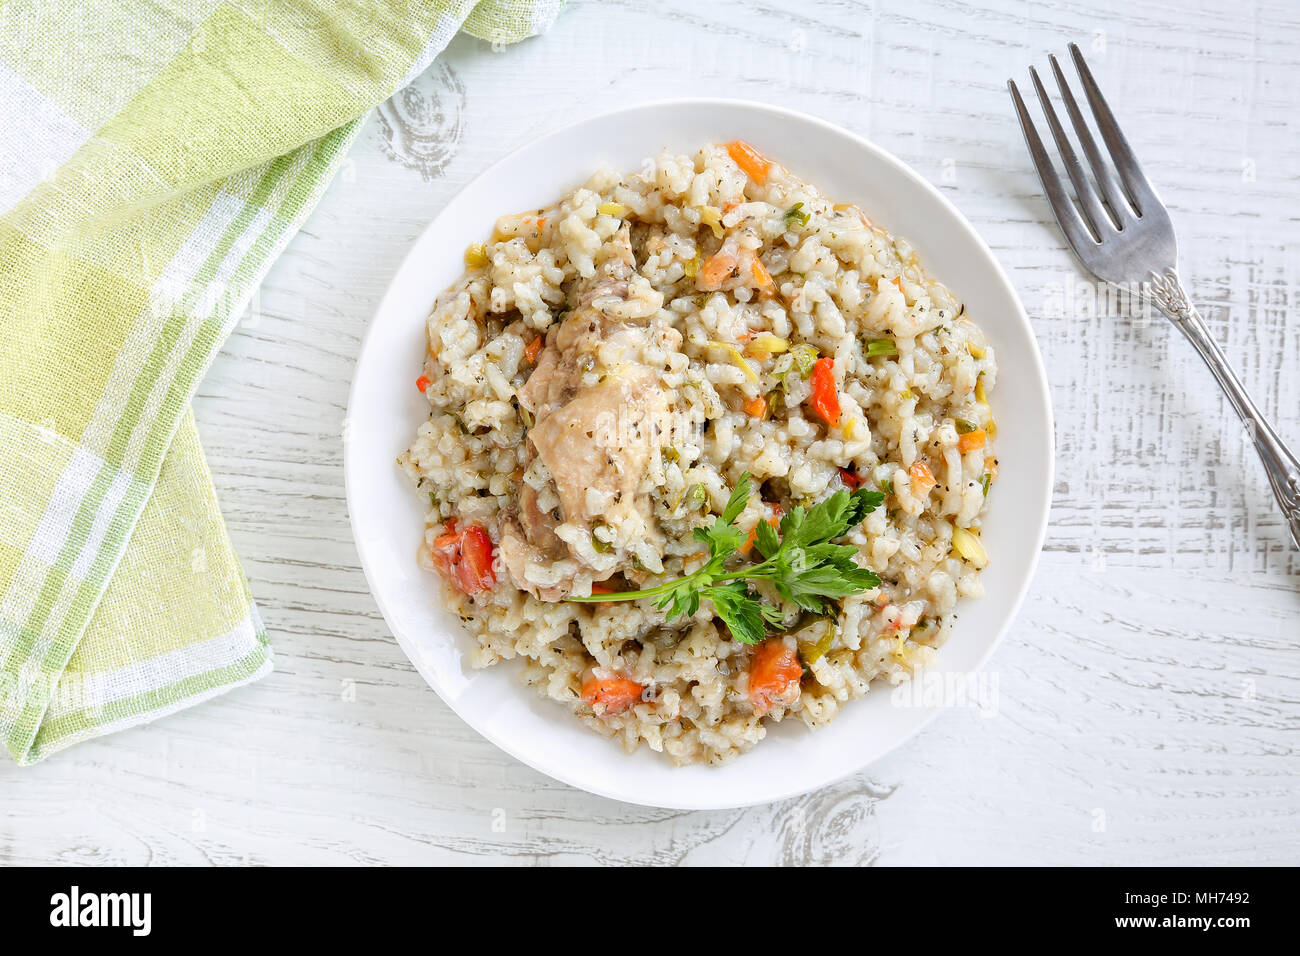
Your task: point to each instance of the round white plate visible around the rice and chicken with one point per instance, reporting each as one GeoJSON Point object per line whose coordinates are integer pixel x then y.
{"type": "Point", "coordinates": [385, 410]}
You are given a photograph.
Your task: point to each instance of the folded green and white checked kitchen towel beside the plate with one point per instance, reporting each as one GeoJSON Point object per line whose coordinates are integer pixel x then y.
{"type": "Point", "coordinates": [154, 161]}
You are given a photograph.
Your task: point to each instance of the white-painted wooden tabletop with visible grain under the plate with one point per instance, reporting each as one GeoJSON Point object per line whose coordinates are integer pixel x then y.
{"type": "Point", "coordinates": [1150, 693]}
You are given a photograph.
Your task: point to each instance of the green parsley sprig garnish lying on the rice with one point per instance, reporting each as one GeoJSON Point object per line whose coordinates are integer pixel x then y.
{"type": "Point", "coordinates": [799, 560]}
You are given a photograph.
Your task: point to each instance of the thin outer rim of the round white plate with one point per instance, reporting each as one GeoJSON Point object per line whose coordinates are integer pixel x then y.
{"type": "Point", "coordinates": [1037, 374]}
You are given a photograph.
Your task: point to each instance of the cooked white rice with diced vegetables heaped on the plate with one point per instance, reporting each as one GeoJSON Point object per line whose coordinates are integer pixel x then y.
{"type": "Point", "coordinates": [837, 283]}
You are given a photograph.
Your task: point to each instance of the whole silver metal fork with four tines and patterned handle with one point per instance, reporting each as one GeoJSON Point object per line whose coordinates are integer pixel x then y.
{"type": "Point", "coordinates": [1124, 236]}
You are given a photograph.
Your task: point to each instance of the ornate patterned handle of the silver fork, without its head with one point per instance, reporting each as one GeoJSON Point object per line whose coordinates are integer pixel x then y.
{"type": "Point", "coordinates": [1280, 464]}
